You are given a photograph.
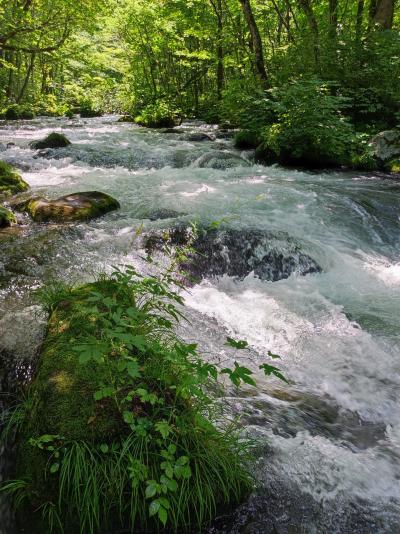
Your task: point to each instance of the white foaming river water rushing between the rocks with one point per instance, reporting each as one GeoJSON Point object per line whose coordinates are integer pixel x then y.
{"type": "Point", "coordinates": [330, 440]}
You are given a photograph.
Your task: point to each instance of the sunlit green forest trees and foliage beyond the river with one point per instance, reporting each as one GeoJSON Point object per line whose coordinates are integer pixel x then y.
{"type": "Point", "coordinates": [220, 60]}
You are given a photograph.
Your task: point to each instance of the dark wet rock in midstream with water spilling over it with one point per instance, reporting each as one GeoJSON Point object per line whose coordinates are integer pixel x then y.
{"type": "Point", "coordinates": [237, 253]}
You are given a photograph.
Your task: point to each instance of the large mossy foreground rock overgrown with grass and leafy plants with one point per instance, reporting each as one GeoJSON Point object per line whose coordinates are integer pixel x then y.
{"type": "Point", "coordinates": [117, 429]}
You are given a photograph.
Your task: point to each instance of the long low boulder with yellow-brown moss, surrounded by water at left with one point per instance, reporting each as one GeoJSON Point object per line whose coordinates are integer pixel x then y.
{"type": "Point", "coordinates": [73, 207]}
